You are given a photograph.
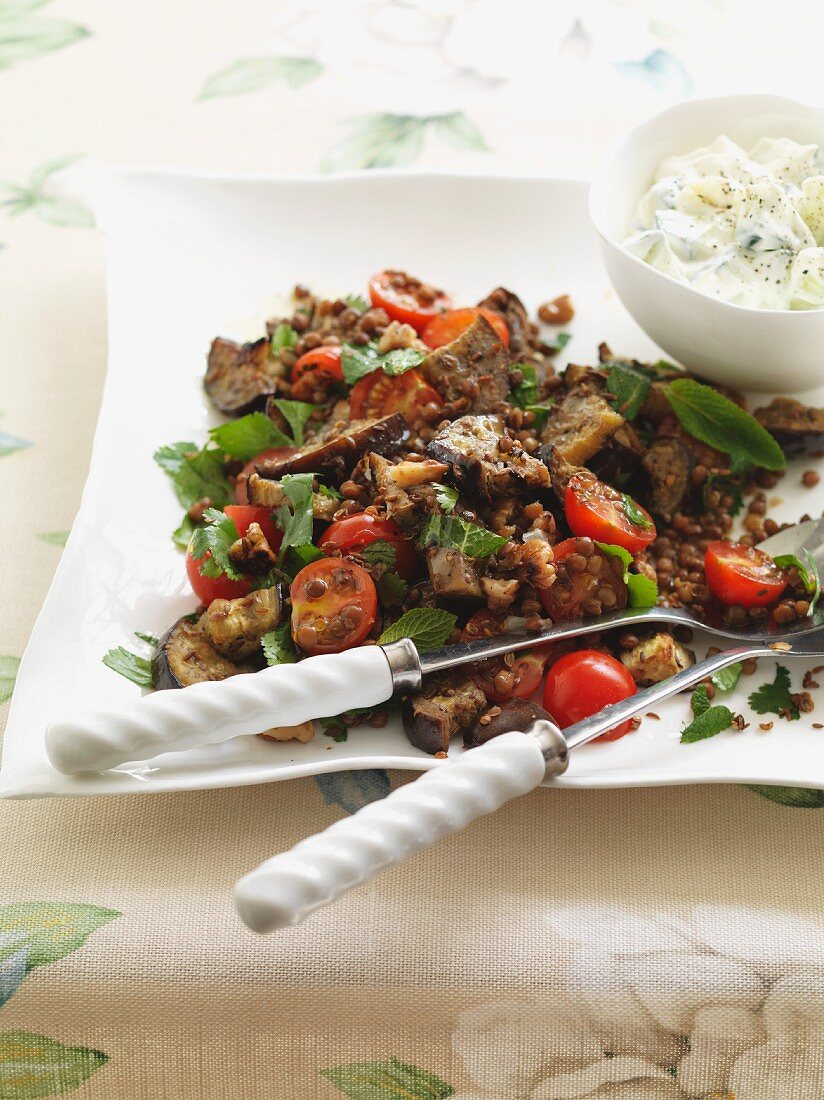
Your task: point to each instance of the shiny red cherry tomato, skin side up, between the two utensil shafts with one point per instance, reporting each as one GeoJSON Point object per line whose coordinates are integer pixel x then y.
{"type": "Point", "coordinates": [583, 684]}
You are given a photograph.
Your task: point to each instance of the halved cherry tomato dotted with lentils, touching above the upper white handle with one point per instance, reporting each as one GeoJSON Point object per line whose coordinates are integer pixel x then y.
{"type": "Point", "coordinates": [334, 607]}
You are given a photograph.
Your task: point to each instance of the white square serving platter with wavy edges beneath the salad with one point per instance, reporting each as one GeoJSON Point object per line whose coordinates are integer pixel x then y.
{"type": "Point", "coordinates": [192, 257]}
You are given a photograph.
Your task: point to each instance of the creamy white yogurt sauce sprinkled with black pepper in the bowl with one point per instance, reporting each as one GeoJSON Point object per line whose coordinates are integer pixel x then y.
{"type": "Point", "coordinates": [746, 227]}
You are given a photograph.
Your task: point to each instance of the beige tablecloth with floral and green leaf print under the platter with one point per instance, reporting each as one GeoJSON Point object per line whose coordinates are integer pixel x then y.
{"type": "Point", "coordinates": [624, 944]}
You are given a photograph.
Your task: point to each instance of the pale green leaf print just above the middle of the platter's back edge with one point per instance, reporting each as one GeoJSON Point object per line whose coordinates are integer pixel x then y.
{"type": "Point", "coordinates": [390, 141]}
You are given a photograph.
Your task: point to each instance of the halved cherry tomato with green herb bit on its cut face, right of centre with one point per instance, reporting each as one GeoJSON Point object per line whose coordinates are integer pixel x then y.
{"type": "Point", "coordinates": [599, 512]}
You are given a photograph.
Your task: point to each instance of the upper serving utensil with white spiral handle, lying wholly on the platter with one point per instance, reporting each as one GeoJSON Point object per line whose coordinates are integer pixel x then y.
{"type": "Point", "coordinates": [323, 687]}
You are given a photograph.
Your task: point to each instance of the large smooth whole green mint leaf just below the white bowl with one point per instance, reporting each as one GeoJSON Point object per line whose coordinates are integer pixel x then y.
{"type": "Point", "coordinates": [716, 421]}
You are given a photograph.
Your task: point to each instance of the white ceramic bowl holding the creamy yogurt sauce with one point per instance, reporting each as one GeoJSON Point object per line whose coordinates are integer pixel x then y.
{"type": "Point", "coordinates": [754, 349]}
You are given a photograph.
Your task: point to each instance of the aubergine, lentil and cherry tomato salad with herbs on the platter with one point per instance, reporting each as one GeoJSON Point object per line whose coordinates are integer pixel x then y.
{"type": "Point", "coordinates": [403, 466]}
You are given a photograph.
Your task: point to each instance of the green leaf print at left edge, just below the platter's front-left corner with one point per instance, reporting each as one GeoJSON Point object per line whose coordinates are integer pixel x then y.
{"type": "Point", "coordinates": [52, 930]}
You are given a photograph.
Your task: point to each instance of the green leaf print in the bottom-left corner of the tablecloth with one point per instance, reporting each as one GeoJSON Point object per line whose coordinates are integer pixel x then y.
{"type": "Point", "coordinates": [35, 1065]}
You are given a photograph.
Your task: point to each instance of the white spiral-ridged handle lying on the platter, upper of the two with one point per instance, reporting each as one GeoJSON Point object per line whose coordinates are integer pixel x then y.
{"type": "Point", "coordinates": [216, 711]}
